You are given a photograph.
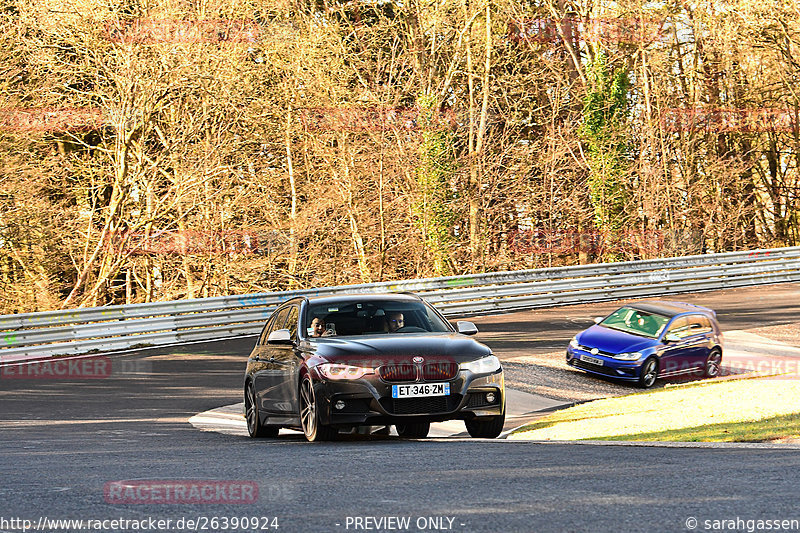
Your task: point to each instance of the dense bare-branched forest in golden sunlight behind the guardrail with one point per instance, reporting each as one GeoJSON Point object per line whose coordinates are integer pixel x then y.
{"type": "Point", "coordinates": [169, 149]}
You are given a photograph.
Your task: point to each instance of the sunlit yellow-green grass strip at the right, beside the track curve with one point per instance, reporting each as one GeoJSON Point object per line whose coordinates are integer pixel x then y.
{"type": "Point", "coordinates": [711, 410]}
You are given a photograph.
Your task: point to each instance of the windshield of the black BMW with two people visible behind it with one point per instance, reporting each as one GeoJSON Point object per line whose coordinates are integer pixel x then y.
{"type": "Point", "coordinates": [372, 317]}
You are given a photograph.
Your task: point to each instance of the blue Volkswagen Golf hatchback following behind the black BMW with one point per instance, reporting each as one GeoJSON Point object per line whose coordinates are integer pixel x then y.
{"type": "Point", "coordinates": [644, 341]}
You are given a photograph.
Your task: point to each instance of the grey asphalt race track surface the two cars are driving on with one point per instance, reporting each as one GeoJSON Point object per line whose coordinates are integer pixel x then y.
{"type": "Point", "coordinates": [63, 441]}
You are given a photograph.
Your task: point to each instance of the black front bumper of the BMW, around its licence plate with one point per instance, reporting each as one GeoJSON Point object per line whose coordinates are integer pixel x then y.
{"type": "Point", "coordinates": [368, 401]}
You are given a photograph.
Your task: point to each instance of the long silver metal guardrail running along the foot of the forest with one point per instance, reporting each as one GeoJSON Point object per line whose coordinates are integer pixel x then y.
{"type": "Point", "coordinates": [118, 327]}
